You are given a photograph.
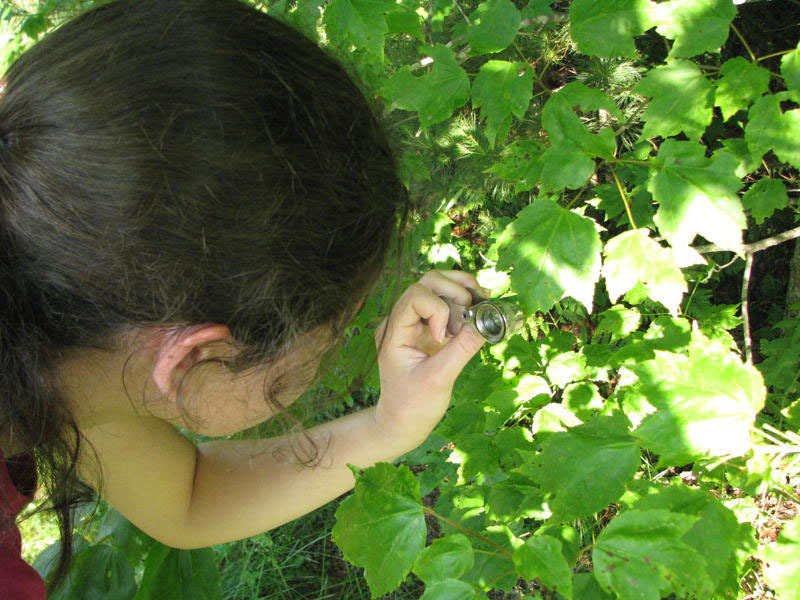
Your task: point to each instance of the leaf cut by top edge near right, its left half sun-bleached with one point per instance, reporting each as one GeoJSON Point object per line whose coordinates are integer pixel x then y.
{"type": "Point", "coordinates": [697, 26]}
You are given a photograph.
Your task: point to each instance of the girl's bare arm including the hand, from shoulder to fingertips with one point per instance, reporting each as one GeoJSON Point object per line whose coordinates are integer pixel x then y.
{"type": "Point", "coordinates": [188, 497]}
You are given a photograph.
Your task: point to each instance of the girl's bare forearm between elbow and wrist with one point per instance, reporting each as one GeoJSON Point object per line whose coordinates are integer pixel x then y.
{"type": "Point", "coordinates": [243, 488]}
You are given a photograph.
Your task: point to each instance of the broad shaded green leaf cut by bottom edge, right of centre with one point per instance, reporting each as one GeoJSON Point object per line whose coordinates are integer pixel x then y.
{"type": "Point", "coordinates": [640, 556]}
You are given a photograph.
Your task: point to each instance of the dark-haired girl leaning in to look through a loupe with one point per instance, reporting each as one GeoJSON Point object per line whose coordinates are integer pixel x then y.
{"type": "Point", "coordinates": [194, 202]}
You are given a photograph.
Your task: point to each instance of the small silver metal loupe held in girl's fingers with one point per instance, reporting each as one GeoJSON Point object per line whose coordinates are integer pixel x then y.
{"type": "Point", "coordinates": [494, 320]}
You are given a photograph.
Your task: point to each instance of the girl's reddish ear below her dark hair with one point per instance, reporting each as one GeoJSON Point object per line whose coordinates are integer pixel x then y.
{"type": "Point", "coordinates": [177, 354]}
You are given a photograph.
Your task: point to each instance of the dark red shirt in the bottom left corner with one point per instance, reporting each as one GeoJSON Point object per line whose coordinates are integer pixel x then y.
{"type": "Point", "coordinates": [18, 580]}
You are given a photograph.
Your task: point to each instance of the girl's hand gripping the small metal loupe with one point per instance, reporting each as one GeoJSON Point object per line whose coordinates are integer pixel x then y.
{"type": "Point", "coordinates": [418, 365]}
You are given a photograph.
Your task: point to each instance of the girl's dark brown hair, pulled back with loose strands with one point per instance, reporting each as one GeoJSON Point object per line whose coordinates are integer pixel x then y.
{"type": "Point", "coordinates": [176, 163]}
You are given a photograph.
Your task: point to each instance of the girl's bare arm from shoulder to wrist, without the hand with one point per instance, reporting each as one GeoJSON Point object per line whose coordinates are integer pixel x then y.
{"type": "Point", "coordinates": [191, 497]}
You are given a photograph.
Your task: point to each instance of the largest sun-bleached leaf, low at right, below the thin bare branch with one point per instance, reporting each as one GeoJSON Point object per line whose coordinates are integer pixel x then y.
{"type": "Point", "coordinates": [707, 403]}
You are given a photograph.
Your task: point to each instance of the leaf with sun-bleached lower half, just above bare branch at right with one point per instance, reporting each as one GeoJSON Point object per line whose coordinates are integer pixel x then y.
{"type": "Point", "coordinates": [697, 196]}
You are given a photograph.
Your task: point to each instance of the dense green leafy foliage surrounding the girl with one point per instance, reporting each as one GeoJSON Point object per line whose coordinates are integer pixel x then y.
{"type": "Point", "coordinates": [622, 167]}
